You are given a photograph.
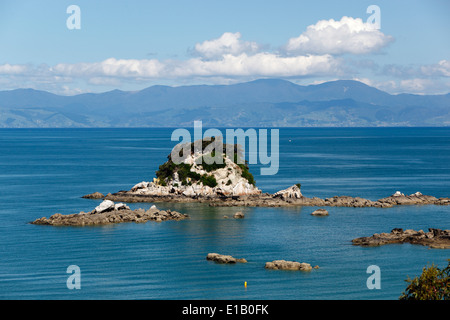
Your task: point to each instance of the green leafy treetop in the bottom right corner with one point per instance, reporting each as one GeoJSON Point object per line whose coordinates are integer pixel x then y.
{"type": "Point", "coordinates": [432, 284]}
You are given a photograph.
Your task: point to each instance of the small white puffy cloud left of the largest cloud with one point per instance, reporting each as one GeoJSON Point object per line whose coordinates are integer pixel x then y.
{"type": "Point", "coordinates": [228, 43]}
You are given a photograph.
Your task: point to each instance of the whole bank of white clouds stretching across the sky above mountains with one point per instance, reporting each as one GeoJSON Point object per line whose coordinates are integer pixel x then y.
{"type": "Point", "coordinates": [323, 50]}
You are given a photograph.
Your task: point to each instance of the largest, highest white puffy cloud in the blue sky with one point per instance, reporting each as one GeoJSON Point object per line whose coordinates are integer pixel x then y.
{"type": "Point", "coordinates": [349, 35]}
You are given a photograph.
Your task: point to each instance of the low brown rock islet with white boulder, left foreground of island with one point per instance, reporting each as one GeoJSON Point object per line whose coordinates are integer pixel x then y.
{"type": "Point", "coordinates": [109, 212]}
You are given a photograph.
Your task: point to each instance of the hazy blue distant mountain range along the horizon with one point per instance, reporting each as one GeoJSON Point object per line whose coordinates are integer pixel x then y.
{"type": "Point", "coordinates": [260, 103]}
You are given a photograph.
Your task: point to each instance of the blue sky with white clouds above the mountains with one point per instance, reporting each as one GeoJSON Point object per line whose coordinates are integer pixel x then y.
{"type": "Point", "coordinates": [397, 46]}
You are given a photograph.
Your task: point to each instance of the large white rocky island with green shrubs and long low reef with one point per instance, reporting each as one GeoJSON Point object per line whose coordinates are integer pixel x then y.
{"type": "Point", "coordinates": [229, 183]}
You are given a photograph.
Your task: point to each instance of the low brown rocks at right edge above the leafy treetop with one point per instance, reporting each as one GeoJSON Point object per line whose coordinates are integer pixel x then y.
{"type": "Point", "coordinates": [434, 238]}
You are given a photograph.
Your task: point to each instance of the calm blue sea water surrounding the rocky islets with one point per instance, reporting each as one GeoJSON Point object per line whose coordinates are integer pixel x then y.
{"type": "Point", "coordinates": [44, 171]}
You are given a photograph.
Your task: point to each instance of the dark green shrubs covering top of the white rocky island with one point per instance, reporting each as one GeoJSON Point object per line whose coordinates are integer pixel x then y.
{"type": "Point", "coordinates": [166, 171]}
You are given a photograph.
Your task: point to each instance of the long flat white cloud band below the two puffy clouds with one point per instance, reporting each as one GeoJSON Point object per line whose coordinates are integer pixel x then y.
{"type": "Point", "coordinates": [242, 65]}
